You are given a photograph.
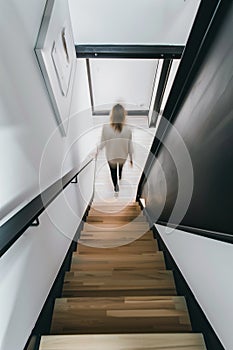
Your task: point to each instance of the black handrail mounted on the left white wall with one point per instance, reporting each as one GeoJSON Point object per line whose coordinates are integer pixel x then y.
{"type": "Point", "coordinates": [13, 228]}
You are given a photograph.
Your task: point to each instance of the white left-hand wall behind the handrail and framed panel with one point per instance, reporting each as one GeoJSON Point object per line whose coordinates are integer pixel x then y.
{"type": "Point", "coordinates": [34, 155]}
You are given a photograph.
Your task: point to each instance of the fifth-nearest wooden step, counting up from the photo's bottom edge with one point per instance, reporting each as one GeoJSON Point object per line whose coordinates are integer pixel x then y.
{"type": "Point", "coordinates": [136, 247]}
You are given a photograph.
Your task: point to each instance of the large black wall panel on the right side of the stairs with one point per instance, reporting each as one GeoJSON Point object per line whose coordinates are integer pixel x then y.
{"type": "Point", "coordinates": [205, 122]}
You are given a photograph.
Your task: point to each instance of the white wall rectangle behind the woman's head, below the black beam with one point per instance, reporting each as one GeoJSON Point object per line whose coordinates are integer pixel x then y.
{"type": "Point", "coordinates": [126, 81]}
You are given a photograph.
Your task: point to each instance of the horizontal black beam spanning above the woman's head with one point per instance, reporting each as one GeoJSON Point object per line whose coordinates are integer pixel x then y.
{"type": "Point", "coordinates": [129, 51]}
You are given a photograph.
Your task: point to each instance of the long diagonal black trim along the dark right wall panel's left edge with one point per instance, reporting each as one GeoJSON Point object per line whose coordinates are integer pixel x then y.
{"type": "Point", "coordinates": [209, 16]}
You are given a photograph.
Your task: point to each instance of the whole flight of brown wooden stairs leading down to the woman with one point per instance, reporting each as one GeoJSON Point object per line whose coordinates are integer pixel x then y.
{"type": "Point", "coordinates": [118, 293]}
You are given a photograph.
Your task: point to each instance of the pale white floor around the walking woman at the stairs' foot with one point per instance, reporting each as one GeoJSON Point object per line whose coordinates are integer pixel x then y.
{"type": "Point", "coordinates": [142, 140]}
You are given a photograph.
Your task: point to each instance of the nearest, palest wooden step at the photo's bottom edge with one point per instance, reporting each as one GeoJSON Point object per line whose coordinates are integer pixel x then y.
{"type": "Point", "coordinates": [185, 341]}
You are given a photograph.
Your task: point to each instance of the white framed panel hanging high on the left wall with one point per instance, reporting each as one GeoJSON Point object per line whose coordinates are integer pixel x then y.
{"type": "Point", "coordinates": [56, 55]}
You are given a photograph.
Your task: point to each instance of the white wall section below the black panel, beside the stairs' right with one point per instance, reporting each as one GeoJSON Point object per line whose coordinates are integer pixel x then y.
{"type": "Point", "coordinates": [206, 265]}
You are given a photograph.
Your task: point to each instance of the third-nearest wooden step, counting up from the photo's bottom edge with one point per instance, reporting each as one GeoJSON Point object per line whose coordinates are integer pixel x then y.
{"type": "Point", "coordinates": [118, 283]}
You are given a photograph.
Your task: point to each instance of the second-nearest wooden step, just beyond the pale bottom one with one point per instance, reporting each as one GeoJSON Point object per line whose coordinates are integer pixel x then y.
{"type": "Point", "coordinates": [120, 315]}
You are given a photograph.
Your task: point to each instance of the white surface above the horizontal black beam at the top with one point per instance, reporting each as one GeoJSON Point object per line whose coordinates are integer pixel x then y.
{"type": "Point", "coordinates": [152, 22]}
